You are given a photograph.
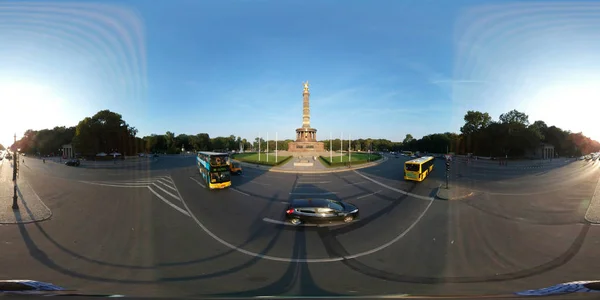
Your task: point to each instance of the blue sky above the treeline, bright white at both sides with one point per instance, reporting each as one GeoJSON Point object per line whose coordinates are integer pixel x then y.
{"type": "Point", "coordinates": [378, 69]}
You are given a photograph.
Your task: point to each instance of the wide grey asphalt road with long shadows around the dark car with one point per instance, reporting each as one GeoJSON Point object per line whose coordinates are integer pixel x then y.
{"type": "Point", "coordinates": [153, 229]}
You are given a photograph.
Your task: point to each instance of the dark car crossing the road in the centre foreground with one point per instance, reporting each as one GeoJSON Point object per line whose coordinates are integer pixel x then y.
{"type": "Point", "coordinates": [320, 211]}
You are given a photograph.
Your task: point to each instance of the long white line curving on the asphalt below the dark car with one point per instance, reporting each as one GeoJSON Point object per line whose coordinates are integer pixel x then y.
{"type": "Point", "coordinates": [313, 260]}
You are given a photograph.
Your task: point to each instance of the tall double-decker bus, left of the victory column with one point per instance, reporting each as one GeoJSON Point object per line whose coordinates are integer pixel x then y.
{"type": "Point", "coordinates": [214, 168]}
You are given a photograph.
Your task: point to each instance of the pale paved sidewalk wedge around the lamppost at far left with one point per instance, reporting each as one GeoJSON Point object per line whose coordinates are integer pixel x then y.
{"type": "Point", "coordinates": [31, 208]}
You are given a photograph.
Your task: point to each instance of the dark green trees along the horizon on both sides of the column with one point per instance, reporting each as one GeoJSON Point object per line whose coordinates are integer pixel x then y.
{"type": "Point", "coordinates": [511, 135]}
